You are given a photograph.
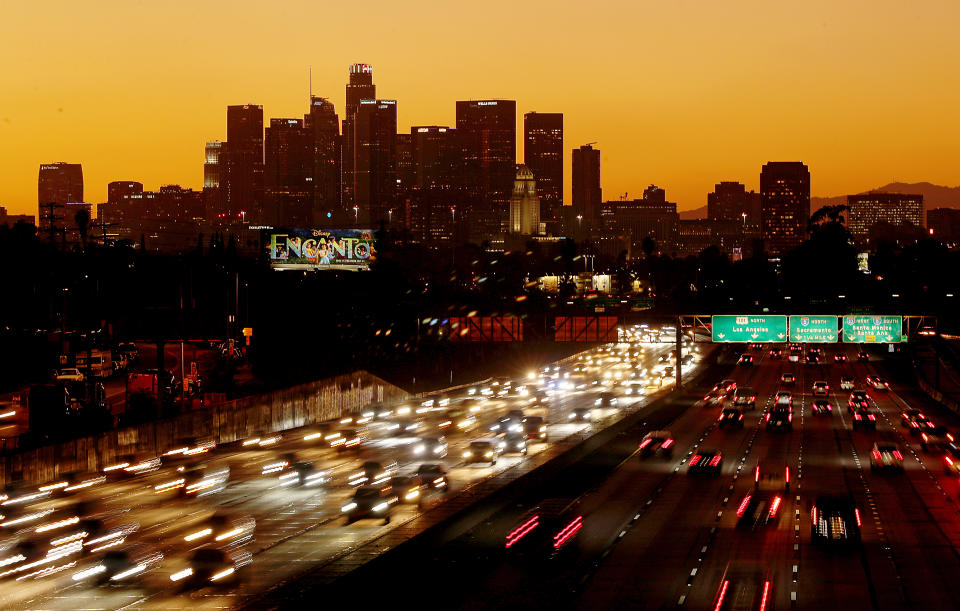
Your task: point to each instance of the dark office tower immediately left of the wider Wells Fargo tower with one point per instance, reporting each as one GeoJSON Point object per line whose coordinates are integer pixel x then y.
{"type": "Point", "coordinates": [433, 198]}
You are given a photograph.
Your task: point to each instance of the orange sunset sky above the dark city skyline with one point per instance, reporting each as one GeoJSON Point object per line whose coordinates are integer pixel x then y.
{"type": "Point", "coordinates": [683, 94]}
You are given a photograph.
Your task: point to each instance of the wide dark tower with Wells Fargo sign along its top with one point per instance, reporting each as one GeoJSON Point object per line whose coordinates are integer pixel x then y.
{"type": "Point", "coordinates": [487, 130]}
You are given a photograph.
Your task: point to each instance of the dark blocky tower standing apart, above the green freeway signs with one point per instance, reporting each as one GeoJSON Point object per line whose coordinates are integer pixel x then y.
{"type": "Point", "coordinates": [784, 205]}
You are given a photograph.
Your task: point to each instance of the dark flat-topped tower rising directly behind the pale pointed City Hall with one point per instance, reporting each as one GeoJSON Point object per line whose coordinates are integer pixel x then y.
{"type": "Point", "coordinates": [543, 154]}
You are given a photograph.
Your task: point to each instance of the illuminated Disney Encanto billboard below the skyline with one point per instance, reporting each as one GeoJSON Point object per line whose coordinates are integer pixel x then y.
{"type": "Point", "coordinates": [303, 249]}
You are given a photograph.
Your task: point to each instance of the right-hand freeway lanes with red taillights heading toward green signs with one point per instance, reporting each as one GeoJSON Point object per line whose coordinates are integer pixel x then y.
{"type": "Point", "coordinates": [653, 535]}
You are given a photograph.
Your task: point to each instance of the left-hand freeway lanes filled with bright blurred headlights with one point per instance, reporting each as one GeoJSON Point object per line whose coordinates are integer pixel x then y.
{"type": "Point", "coordinates": [296, 528]}
